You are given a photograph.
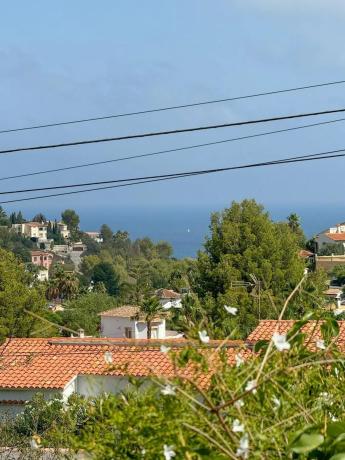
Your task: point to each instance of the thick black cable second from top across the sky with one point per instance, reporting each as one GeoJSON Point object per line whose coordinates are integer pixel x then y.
{"type": "Point", "coordinates": [174, 131]}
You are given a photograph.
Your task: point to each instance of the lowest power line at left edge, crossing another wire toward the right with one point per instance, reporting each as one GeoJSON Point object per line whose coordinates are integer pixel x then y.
{"type": "Point", "coordinates": [311, 157]}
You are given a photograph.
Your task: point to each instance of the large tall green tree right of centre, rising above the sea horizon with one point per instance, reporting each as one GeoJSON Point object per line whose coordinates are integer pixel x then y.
{"type": "Point", "coordinates": [244, 242]}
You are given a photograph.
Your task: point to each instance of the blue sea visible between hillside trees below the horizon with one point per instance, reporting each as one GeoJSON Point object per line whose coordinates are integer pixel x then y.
{"type": "Point", "coordinates": [186, 227]}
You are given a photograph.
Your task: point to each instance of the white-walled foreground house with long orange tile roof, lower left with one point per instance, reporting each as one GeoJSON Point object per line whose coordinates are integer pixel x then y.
{"type": "Point", "coordinates": [59, 367]}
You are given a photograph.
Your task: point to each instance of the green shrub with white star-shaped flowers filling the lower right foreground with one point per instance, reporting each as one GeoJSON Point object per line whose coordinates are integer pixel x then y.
{"type": "Point", "coordinates": [277, 404]}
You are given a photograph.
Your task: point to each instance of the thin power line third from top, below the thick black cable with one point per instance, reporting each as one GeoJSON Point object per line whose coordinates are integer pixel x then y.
{"type": "Point", "coordinates": [160, 152]}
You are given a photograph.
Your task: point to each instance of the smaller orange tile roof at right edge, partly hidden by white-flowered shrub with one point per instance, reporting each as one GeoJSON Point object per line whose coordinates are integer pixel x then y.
{"type": "Point", "coordinates": [266, 328]}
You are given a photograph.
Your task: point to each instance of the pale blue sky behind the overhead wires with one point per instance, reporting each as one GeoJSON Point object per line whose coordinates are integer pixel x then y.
{"type": "Point", "coordinates": [68, 60]}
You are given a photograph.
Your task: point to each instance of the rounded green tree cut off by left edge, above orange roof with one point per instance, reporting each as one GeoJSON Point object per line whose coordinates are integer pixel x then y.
{"type": "Point", "coordinates": [18, 296]}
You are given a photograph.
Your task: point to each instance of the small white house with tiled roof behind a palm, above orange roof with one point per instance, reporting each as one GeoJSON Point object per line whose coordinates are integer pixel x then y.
{"type": "Point", "coordinates": [127, 322]}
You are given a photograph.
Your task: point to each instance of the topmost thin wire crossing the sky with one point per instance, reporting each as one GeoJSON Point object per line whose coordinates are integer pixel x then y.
{"type": "Point", "coordinates": [173, 107]}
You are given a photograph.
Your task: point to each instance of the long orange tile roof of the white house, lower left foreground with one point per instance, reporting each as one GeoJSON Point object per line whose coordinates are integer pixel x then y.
{"type": "Point", "coordinates": [52, 363]}
